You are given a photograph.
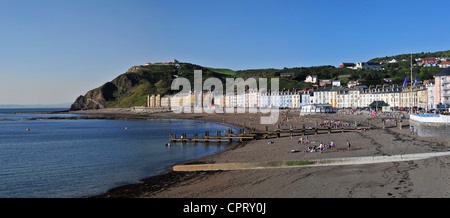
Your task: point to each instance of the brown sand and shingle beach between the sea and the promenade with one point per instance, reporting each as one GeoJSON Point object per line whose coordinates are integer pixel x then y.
{"type": "Point", "coordinates": [425, 178]}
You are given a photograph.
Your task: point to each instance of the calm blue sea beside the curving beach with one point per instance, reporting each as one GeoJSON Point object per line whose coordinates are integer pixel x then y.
{"type": "Point", "coordinates": [78, 158]}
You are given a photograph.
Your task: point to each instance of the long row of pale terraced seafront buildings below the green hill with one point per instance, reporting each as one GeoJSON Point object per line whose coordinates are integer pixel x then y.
{"type": "Point", "coordinates": [432, 95]}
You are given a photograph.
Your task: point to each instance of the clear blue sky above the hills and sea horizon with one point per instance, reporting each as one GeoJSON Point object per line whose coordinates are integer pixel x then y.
{"type": "Point", "coordinates": [52, 51]}
